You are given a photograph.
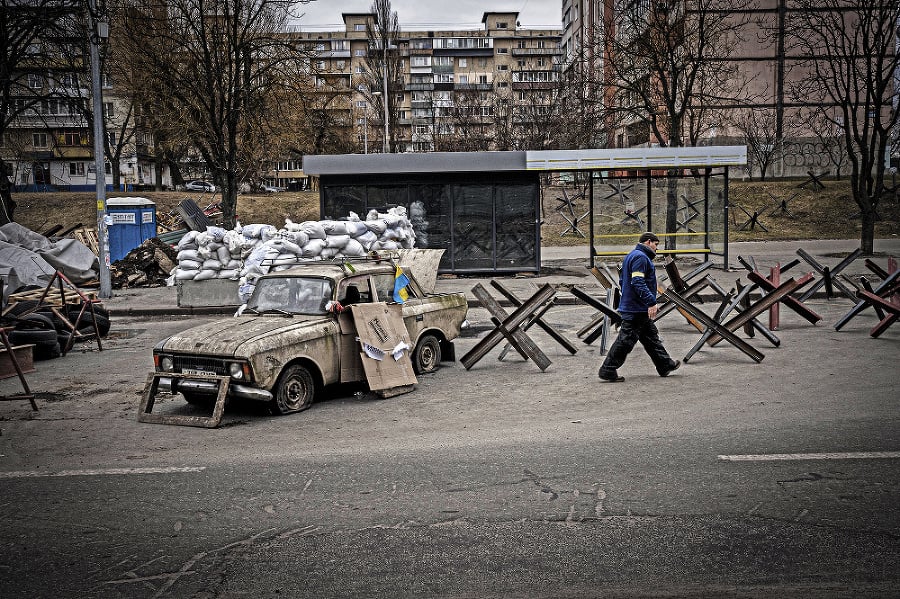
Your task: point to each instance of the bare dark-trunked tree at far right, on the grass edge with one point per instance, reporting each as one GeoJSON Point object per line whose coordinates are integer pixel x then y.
{"type": "Point", "coordinates": [852, 66]}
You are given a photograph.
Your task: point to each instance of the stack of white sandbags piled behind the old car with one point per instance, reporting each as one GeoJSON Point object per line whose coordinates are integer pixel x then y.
{"type": "Point", "coordinates": [250, 251]}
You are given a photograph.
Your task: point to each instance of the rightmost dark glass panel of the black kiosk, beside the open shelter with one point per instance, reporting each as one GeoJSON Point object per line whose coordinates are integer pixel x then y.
{"type": "Point", "coordinates": [516, 220]}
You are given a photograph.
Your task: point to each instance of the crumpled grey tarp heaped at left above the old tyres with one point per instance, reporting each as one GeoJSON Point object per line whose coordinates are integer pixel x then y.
{"type": "Point", "coordinates": [33, 258]}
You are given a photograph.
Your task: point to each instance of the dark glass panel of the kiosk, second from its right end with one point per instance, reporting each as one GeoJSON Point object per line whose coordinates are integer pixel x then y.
{"type": "Point", "coordinates": [472, 226]}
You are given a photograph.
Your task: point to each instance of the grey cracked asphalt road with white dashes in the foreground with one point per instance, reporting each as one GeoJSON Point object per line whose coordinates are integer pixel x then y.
{"type": "Point", "coordinates": [500, 481]}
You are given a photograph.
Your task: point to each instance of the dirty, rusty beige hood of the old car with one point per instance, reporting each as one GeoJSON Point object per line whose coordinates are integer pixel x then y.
{"type": "Point", "coordinates": [225, 337]}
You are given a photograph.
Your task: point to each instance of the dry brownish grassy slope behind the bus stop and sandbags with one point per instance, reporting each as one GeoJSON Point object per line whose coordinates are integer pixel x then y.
{"type": "Point", "coordinates": [825, 214]}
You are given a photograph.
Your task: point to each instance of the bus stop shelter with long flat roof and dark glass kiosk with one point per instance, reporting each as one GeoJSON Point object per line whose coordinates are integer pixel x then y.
{"type": "Point", "coordinates": [484, 208]}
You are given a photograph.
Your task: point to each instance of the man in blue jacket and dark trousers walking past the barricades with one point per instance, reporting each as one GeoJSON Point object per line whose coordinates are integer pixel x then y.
{"type": "Point", "coordinates": [638, 308]}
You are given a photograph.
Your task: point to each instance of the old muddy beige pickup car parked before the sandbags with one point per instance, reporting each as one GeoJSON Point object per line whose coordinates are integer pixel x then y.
{"type": "Point", "coordinates": [296, 335]}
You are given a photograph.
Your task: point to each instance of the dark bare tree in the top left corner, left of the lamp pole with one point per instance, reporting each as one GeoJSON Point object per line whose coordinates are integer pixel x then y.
{"type": "Point", "coordinates": [32, 35]}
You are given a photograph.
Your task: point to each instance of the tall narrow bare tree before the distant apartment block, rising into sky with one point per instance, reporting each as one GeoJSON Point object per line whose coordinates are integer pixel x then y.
{"type": "Point", "coordinates": [384, 77]}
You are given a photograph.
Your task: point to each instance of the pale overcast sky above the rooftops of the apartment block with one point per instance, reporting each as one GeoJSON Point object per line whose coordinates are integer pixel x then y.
{"type": "Point", "coordinates": [439, 14]}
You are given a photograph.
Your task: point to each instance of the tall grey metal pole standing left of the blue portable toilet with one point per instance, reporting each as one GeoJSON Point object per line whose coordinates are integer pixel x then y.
{"type": "Point", "coordinates": [99, 30]}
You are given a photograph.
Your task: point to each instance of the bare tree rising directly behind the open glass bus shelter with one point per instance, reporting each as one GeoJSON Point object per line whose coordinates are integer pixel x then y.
{"type": "Point", "coordinates": [667, 68]}
